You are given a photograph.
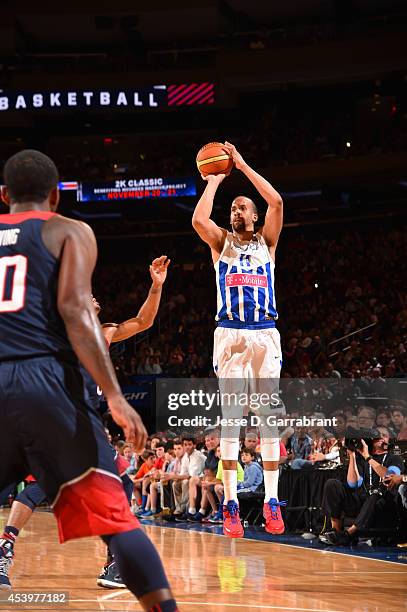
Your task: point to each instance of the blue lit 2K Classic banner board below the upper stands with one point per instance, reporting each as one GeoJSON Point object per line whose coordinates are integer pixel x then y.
{"type": "Point", "coordinates": [135, 189]}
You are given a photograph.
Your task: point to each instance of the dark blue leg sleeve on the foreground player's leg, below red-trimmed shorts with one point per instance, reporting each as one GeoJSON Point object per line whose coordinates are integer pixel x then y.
{"type": "Point", "coordinates": [138, 561]}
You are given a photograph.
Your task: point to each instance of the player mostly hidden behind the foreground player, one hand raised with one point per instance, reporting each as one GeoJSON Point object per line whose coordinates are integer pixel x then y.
{"type": "Point", "coordinates": [32, 496]}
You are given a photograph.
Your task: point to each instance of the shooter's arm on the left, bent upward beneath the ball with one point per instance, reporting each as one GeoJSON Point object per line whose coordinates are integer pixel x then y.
{"type": "Point", "coordinates": [202, 223]}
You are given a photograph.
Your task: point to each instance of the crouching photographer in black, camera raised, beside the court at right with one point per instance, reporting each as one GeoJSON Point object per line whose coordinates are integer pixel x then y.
{"type": "Point", "coordinates": [364, 495]}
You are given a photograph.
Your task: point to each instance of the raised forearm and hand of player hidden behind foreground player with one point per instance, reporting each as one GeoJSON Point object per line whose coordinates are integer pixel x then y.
{"type": "Point", "coordinates": [148, 311]}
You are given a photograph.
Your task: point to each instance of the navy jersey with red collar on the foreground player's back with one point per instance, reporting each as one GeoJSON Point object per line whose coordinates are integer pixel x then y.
{"type": "Point", "coordinates": [30, 325]}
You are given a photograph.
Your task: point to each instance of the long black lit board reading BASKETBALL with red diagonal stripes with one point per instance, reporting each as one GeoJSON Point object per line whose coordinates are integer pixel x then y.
{"type": "Point", "coordinates": [156, 96]}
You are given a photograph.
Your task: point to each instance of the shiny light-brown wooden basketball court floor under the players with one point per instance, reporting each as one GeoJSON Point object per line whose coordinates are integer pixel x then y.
{"type": "Point", "coordinates": [210, 573]}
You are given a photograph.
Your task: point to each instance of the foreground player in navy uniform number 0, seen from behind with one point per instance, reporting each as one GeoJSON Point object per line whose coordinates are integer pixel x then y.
{"type": "Point", "coordinates": [47, 323]}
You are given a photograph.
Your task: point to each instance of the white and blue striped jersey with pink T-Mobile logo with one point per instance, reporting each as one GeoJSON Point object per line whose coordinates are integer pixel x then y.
{"type": "Point", "coordinates": [245, 284]}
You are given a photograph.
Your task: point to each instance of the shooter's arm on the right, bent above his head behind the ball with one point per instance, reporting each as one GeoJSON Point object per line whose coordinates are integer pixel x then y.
{"type": "Point", "coordinates": [273, 222]}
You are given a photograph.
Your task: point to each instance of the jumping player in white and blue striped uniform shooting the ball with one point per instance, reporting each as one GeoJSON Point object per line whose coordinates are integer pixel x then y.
{"type": "Point", "coordinates": [246, 341]}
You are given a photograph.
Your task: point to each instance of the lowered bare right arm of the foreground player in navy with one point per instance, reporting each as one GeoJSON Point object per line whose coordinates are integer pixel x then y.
{"type": "Point", "coordinates": [74, 300]}
